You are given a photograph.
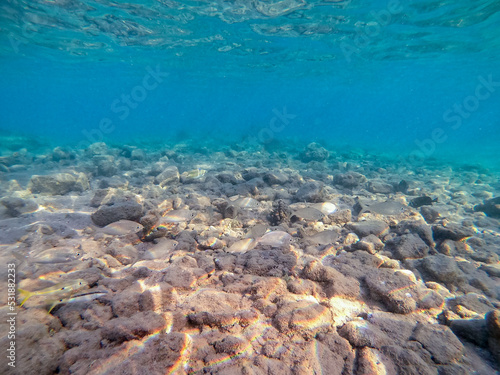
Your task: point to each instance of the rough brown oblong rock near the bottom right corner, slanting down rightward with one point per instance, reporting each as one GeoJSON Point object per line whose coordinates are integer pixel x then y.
{"type": "Point", "coordinates": [440, 341]}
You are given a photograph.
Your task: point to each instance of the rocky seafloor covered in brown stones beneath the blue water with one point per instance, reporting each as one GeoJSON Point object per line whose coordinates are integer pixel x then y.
{"type": "Point", "coordinates": [244, 262]}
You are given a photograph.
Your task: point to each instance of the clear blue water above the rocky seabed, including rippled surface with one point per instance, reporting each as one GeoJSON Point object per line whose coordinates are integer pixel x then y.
{"type": "Point", "coordinates": [413, 79]}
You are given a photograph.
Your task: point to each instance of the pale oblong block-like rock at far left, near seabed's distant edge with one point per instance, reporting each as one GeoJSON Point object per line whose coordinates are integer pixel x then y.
{"type": "Point", "coordinates": [59, 183]}
